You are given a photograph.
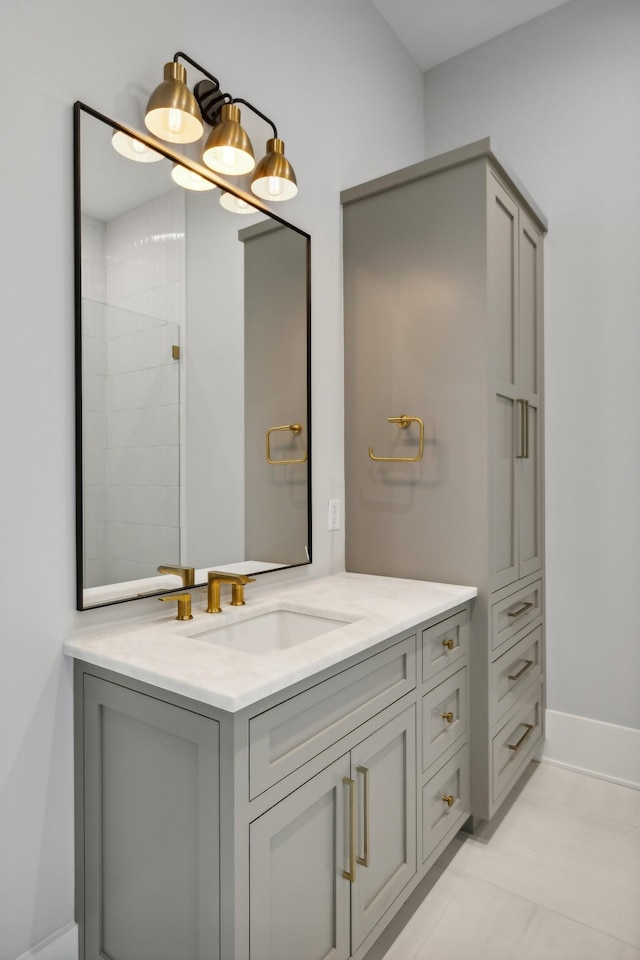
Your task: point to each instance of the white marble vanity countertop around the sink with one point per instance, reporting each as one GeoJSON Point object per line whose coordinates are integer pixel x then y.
{"type": "Point", "coordinates": [167, 653]}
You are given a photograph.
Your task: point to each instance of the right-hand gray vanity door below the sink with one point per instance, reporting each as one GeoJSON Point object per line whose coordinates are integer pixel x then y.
{"type": "Point", "coordinates": [384, 768]}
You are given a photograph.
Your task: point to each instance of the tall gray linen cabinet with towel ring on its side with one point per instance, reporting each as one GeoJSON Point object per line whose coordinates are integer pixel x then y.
{"type": "Point", "coordinates": [443, 322]}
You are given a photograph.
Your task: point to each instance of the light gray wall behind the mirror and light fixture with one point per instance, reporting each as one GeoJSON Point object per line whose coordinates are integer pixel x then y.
{"type": "Point", "coordinates": [317, 77]}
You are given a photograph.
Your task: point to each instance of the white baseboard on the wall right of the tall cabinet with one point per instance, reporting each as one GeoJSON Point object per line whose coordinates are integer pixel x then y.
{"type": "Point", "coordinates": [599, 749]}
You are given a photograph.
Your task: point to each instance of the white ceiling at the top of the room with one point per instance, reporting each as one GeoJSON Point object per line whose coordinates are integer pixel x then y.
{"type": "Point", "coordinates": [436, 30]}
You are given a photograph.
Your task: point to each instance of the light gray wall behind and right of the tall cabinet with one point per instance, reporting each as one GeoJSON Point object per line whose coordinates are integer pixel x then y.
{"type": "Point", "coordinates": [560, 97]}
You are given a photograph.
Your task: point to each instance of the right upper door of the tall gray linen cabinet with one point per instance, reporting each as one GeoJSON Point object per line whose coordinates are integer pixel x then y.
{"type": "Point", "coordinates": [529, 466]}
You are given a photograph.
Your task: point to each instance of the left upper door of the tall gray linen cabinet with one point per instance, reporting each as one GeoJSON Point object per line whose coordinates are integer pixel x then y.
{"type": "Point", "coordinates": [502, 302]}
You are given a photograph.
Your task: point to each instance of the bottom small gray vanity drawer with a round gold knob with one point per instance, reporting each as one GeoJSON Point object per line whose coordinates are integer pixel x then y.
{"type": "Point", "coordinates": [445, 801]}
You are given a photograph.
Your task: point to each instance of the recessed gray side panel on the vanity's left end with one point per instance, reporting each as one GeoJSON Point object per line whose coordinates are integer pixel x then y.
{"type": "Point", "coordinates": [151, 828]}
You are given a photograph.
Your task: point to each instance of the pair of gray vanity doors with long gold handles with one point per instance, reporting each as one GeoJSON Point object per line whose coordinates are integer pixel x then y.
{"type": "Point", "coordinates": [299, 847]}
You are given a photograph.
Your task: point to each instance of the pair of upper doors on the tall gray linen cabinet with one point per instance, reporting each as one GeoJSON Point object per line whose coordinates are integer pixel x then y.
{"type": "Point", "coordinates": [514, 289]}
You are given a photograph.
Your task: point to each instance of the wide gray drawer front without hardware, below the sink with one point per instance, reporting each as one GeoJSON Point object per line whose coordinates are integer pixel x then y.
{"type": "Point", "coordinates": [285, 737]}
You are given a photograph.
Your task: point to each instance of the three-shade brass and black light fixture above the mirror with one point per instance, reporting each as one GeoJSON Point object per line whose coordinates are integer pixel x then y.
{"type": "Point", "coordinates": [177, 115]}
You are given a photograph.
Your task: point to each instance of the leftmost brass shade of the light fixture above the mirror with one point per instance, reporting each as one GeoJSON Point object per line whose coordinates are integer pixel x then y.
{"type": "Point", "coordinates": [172, 112]}
